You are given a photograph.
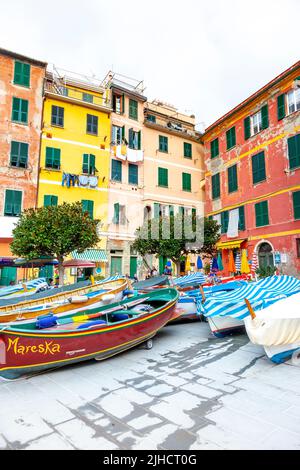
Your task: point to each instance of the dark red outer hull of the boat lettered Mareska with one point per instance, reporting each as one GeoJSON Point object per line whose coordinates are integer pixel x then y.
{"type": "Point", "coordinates": [23, 352]}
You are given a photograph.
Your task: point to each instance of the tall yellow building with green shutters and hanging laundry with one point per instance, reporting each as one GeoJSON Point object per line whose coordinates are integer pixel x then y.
{"type": "Point", "coordinates": [75, 150]}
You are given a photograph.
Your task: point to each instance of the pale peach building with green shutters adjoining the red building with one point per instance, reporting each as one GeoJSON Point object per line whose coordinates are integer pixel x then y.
{"type": "Point", "coordinates": [173, 165]}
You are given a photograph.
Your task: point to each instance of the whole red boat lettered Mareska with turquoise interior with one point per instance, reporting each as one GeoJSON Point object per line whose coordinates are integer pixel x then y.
{"type": "Point", "coordinates": [49, 342]}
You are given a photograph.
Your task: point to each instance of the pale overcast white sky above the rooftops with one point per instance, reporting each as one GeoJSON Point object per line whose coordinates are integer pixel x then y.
{"type": "Point", "coordinates": [202, 56]}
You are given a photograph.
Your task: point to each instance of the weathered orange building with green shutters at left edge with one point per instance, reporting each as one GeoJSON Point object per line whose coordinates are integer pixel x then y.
{"type": "Point", "coordinates": [21, 106]}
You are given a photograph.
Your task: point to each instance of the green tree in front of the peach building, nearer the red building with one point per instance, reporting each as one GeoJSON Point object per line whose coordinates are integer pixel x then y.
{"type": "Point", "coordinates": [169, 243]}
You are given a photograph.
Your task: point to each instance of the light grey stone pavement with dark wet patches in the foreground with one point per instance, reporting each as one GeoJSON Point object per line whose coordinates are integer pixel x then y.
{"type": "Point", "coordinates": [191, 391]}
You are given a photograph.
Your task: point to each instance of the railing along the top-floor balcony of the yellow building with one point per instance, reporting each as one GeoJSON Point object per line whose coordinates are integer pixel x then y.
{"type": "Point", "coordinates": [67, 92]}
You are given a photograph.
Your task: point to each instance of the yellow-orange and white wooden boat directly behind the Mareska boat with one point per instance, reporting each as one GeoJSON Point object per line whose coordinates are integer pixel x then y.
{"type": "Point", "coordinates": [74, 300]}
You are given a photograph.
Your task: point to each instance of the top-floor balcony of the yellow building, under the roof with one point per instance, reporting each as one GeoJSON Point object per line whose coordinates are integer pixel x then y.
{"type": "Point", "coordinates": [73, 95]}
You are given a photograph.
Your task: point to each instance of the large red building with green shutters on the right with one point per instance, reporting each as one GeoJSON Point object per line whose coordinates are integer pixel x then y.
{"type": "Point", "coordinates": [252, 161]}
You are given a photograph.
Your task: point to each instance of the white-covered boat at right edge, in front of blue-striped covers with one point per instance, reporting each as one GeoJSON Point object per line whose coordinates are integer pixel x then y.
{"type": "Point", "coordinates": [277, 328]}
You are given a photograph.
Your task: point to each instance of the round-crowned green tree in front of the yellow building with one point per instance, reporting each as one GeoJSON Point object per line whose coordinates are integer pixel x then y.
{"type": "Point", "coordinates": [54, 231]}
